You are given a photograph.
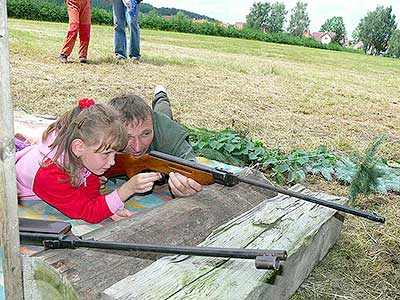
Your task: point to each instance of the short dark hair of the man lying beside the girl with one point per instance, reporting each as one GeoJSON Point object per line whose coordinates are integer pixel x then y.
{"type": "Point", "coordinates": [132, 108]}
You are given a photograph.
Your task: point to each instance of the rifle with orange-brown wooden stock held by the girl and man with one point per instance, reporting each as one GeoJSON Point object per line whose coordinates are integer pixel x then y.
{"type": "Point", "coordinates": [156, 161]}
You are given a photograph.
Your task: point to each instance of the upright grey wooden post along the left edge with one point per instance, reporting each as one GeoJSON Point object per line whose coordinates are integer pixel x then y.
{"type": "Point", "coordinates": [9, 238]}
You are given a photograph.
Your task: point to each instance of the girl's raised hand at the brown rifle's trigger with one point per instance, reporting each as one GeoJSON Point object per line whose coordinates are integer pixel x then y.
{"type": "Point", "coordinates": [140, 183]}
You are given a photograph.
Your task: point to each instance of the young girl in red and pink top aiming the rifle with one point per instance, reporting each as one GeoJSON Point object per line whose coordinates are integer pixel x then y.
{"type": "Point", "coordinates": [64, 168]}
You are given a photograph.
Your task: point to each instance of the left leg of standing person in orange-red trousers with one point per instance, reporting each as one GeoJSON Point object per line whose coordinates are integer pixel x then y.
{"type": "Point", "coordinates": [73, 8]}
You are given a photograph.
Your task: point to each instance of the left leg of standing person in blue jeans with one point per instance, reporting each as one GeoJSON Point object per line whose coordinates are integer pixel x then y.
{"type": "Point", "coordinates": [119, 16]}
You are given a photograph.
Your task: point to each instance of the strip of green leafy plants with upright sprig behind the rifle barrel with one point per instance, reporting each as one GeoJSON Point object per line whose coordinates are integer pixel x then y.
{"type": "Point", "coordinates": [363, 174]}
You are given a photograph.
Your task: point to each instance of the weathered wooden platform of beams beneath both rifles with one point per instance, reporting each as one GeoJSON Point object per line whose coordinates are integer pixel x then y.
{"type": "Point", "coordinates": [242, 217]}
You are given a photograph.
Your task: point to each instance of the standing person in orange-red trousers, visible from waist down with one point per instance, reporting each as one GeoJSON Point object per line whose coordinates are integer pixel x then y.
{"type": "Point", "coordinates": [79, 22]}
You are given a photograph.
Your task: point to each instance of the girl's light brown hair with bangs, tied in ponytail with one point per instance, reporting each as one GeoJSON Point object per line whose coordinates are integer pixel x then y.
{"type": "Point", "coordinates": [97, 125]}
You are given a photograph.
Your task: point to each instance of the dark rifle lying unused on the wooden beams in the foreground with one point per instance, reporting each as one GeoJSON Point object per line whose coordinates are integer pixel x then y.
{"type": "Point", "coordinates": [51, 238]}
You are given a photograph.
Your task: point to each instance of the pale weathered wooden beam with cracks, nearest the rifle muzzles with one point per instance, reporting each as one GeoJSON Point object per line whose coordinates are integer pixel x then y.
{"type": "Point", "coordinates": [305, 230]}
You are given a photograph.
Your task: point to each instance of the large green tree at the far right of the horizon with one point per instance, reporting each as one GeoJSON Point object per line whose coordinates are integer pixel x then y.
{"type": "Point", "coordinates": [375, 29]}
